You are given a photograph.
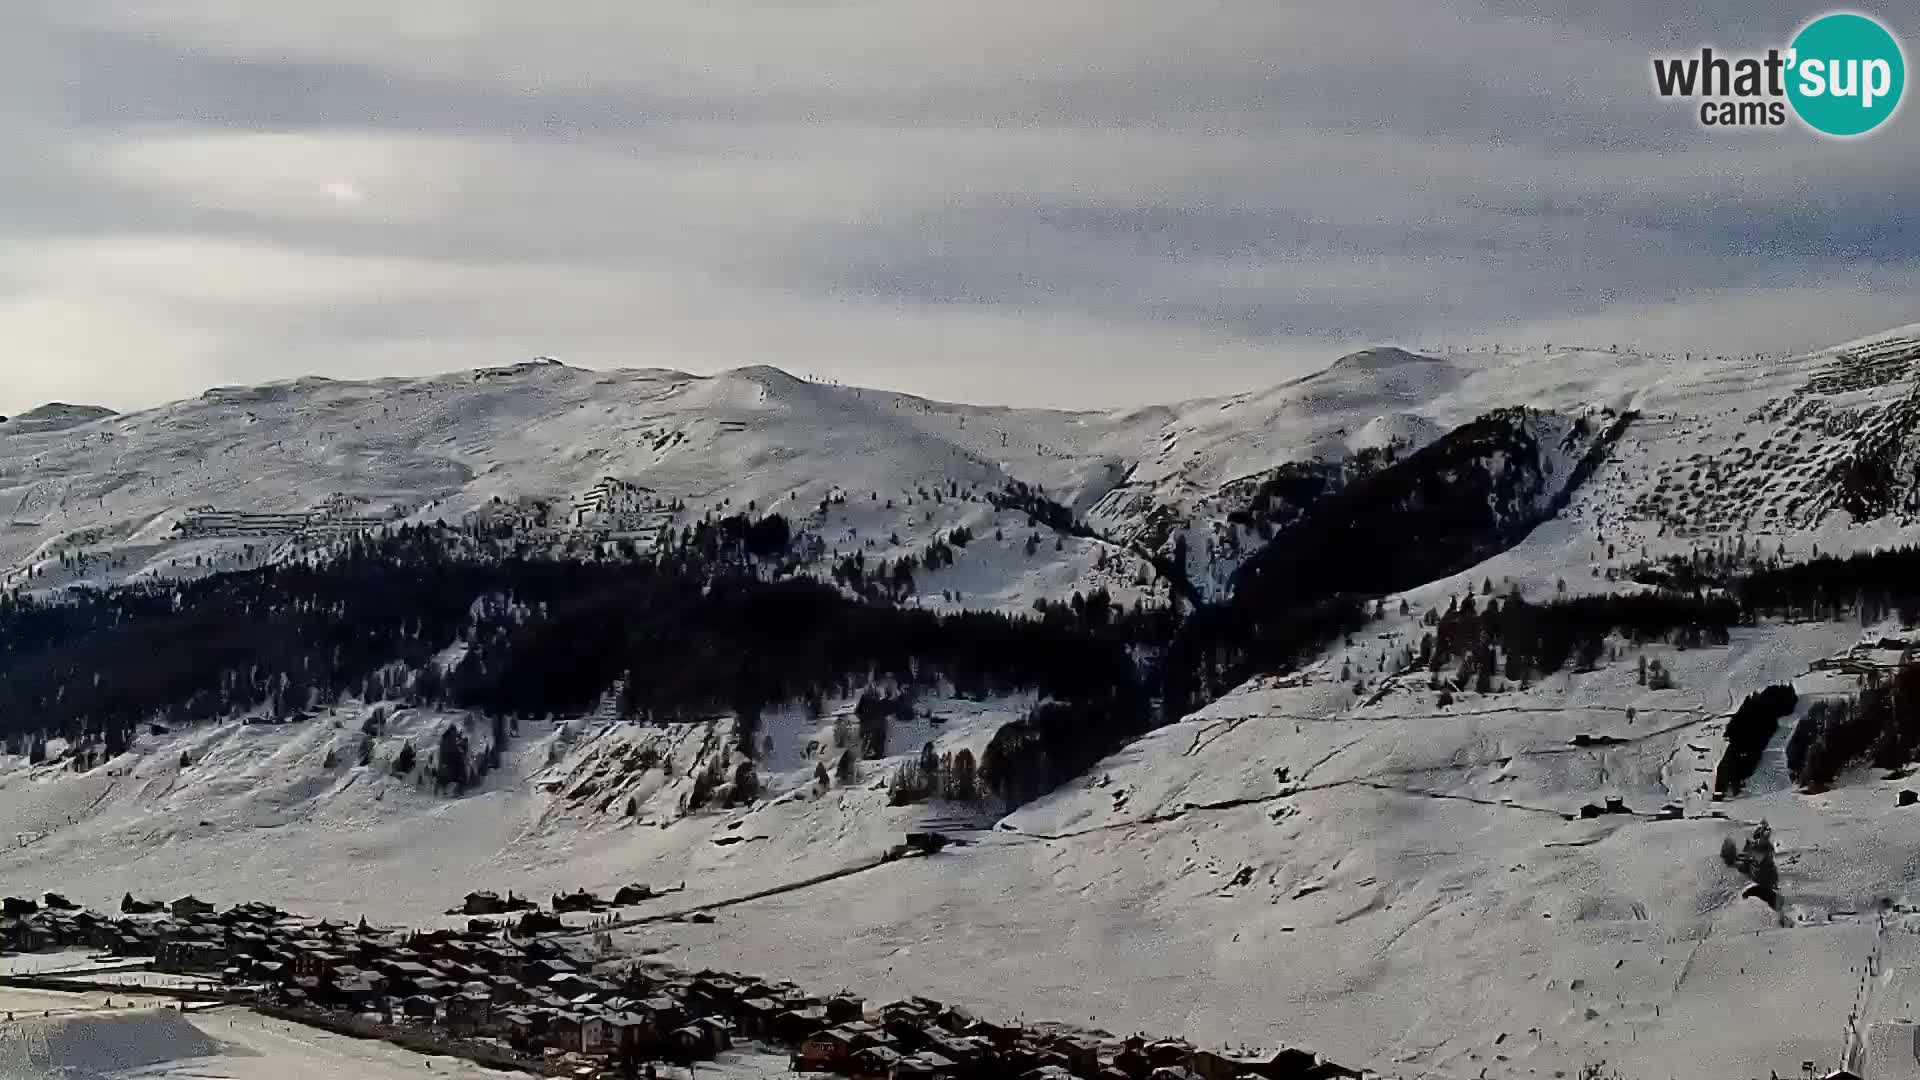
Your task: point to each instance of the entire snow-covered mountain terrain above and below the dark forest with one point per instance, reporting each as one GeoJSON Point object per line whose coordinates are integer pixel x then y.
{"type": "Point", "coordinates": [1395, 875]}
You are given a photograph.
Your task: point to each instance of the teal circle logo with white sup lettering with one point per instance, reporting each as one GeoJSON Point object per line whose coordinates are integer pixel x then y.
{"type": "Point", "coordinates": [1846, 74]}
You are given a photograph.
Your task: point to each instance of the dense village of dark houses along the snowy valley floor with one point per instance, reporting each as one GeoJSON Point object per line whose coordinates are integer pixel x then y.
{"type": "Point", "coordinates": [537, 998]}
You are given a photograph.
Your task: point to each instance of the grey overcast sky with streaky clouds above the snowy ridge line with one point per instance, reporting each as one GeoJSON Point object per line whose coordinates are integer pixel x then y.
{"type": "Point", "coordinates": [1009, 201]}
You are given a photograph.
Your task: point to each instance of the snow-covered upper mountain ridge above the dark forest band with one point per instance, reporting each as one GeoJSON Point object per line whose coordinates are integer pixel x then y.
{"type": "Point", "coordinates": [243, 476]}
